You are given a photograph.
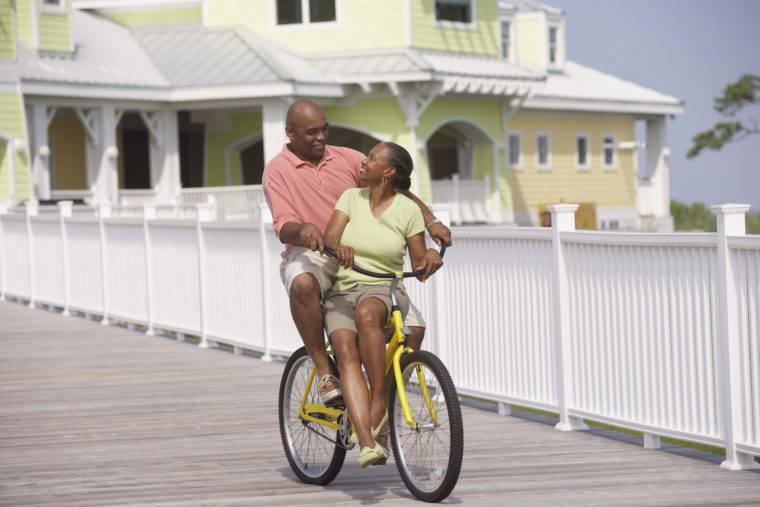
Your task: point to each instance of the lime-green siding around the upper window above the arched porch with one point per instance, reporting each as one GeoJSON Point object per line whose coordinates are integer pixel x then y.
{"type": "Point", "coordinates": [483, 38]}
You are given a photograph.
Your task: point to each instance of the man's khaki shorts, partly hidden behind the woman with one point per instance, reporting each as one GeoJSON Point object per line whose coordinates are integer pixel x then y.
{"type": "Point", "coordinates": [324, 268]}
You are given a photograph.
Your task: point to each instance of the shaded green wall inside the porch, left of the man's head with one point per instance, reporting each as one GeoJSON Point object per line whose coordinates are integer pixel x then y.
{"type": "Point", "coordinates": [218, 146]}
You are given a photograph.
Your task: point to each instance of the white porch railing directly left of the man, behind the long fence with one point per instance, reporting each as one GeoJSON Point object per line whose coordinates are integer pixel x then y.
{"type": "Point", "coordinates": [231, 203]}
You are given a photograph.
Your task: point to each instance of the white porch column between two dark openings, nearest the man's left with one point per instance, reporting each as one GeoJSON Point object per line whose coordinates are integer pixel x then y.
{"type": "Point", "coordinates": [164, 159]}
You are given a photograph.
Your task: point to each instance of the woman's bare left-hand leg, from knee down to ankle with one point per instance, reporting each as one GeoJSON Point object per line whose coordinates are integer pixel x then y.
{"type": "Point", "coordinates": [352, 382]}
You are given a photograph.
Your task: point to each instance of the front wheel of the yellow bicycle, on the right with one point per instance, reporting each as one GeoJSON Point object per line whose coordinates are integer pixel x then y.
{"type": "Point", "coordinates": [429, 458]}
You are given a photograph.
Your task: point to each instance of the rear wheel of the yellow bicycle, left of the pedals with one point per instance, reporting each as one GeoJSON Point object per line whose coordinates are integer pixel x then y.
{"type": "Point", "coordinates": [313, 451]}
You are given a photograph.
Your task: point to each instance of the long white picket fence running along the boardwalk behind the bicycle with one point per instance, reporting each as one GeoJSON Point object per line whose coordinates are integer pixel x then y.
{"type": "Point", "coordinates": [655, 332]}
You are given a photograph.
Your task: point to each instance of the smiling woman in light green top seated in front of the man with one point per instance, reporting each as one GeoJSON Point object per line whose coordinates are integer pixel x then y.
{"type": "Point", "coordinates": [372, 226]}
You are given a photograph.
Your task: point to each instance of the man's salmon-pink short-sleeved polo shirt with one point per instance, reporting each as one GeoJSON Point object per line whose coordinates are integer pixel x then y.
{"type": "Point", "coordinates": [296, 191]}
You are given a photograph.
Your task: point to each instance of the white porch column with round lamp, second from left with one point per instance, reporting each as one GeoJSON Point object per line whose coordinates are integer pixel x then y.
{"type": "Point", "coordinates": [105, 182]}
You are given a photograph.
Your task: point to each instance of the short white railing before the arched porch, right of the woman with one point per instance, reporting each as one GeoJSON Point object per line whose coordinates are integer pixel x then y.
{"type": "Point", "coordinates": [469, 199]}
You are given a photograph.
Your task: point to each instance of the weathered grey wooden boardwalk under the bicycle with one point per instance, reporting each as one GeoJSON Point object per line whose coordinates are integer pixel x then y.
{"type": "Point", "coordinates": [97, 415]}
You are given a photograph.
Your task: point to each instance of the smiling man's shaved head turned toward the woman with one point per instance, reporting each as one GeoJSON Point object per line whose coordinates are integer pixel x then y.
{"type": "Point", "coordinates": [307, 129]}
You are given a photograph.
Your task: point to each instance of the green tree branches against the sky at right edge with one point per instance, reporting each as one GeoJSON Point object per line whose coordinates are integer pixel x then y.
{"type": "Point", "coordinates": [735, 97]}
